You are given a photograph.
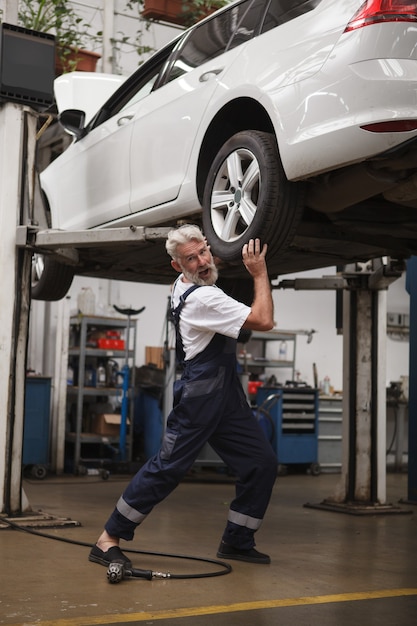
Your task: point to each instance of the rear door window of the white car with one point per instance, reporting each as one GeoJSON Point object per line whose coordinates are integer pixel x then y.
{"type": "Point", "coordinates": [207, 40]}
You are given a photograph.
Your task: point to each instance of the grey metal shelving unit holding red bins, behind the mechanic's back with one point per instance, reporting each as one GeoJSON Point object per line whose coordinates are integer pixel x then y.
{"type": "Point", "coordinates": [90, 346]}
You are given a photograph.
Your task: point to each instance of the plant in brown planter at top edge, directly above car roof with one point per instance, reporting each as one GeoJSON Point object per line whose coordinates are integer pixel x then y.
{"type": "Point", "coordinates": [182, 12]}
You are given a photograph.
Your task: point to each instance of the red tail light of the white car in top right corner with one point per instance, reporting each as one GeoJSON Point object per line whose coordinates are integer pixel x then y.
{"type": "Point", "coordinates": [377, 11]}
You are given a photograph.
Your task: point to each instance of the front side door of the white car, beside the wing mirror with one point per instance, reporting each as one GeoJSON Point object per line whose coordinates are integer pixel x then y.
{"type": "Point", "coordinates": [89, 185]}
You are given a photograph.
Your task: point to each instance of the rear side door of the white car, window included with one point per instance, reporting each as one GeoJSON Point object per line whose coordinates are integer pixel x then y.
{"type": "Point", "coordinates": [166, 122]}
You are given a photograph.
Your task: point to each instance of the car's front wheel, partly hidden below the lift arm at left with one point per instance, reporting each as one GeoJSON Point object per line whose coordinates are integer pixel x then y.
{"type": "Point", "coordinates": [50, 280]}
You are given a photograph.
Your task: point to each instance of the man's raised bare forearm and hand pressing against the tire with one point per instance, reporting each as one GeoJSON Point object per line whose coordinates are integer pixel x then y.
{"type": "Point", "coordinates": [261, 316]}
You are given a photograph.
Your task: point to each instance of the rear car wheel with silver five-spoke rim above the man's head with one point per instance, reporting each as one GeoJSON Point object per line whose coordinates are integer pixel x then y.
{"type": "Point", "coordinates": [247, 195]}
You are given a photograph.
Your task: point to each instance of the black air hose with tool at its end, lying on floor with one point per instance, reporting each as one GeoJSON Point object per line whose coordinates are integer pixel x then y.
{"type": "Point", "coordinates": [118, 572]}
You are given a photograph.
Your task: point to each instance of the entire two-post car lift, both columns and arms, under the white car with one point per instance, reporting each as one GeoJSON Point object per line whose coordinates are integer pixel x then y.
{"type": "Point", "coordinates": [362, 487]}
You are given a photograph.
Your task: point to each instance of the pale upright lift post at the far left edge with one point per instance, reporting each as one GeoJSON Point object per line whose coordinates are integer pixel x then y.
{"type": "Point", "coordinates": [17, 136]}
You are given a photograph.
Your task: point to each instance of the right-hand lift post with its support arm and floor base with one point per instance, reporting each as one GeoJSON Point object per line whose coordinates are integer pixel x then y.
{"type": "Point", "coordinates": [362, 487]}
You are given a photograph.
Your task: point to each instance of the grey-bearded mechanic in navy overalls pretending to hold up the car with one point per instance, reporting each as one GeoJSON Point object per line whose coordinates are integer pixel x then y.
{"type": "Point", "coordinates": [209, 403]}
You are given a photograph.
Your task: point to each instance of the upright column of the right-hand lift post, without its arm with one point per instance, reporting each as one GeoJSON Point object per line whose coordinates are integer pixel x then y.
{"type": "Point", "coordinates": [363, 470]}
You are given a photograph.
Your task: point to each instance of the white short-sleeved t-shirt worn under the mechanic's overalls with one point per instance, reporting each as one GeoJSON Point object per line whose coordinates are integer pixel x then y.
{"type": "Point", "coordinates": [207, 311]}
